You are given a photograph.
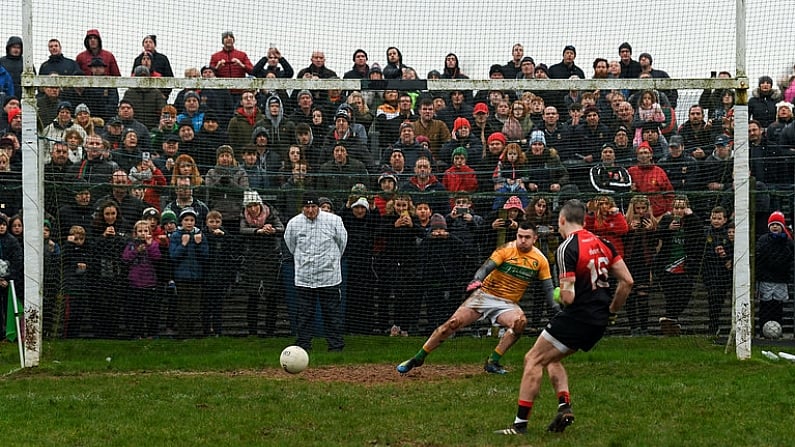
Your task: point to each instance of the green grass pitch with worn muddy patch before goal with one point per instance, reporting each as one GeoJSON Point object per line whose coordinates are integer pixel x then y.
{"type": "Point", "coordinates": [627, 392]}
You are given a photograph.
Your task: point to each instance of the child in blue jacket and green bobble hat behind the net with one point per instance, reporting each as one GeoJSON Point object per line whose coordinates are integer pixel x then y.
{"type": "Point", "coordinates": [188, 250]}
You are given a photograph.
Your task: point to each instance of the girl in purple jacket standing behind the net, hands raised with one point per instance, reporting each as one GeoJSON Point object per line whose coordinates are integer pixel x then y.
{"type": "Point", "coordinates": [140, 309]}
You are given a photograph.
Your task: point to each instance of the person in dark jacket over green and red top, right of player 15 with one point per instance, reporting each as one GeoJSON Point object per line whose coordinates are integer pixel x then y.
{"type": "Point", "coordinates": [679, 237]}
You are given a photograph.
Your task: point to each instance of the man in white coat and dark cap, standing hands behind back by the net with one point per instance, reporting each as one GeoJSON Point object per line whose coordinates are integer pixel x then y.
{"type": "Point", "coordinates": [317, 240]}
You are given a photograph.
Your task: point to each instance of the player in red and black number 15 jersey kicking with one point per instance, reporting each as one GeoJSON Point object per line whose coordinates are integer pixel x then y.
{"type": "Point", "coordinates": [585, 262]}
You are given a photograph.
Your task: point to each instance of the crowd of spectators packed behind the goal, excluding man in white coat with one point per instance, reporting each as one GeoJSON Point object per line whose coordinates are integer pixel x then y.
{"type": "Point", "coordinates": [178, 207]}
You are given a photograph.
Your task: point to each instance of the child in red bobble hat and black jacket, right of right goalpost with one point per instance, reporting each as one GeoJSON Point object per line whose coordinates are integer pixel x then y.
{"type": "Point", "coordinates": [773, 275]}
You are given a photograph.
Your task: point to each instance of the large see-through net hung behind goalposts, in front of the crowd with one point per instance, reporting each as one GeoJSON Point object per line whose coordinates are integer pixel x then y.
{"type": "Point", "coordinates": [238, 118]}
